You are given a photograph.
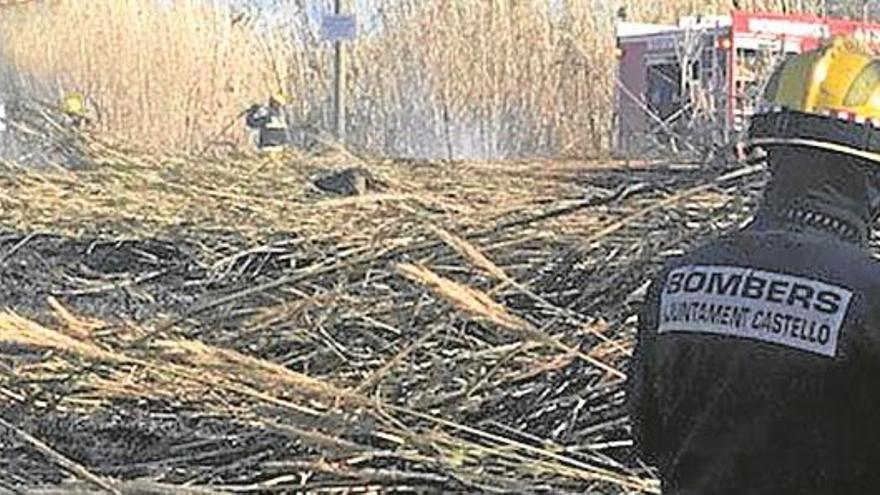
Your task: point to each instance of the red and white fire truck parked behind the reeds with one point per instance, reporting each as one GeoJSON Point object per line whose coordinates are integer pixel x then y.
{"type": "Point", "coordinates": [696, 83]}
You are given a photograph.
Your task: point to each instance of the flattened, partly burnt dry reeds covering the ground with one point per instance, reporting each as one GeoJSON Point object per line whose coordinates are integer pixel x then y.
{"type": "Point", "coordinates": [176, 323]}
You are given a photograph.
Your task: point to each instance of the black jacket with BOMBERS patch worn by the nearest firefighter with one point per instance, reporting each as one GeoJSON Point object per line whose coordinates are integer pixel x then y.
{"type": "Point", "coordinates": [757, 367]}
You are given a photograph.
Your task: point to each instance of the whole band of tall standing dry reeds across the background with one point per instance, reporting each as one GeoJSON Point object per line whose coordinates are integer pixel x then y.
{"type": "Point", "coordinates": [442, 78]}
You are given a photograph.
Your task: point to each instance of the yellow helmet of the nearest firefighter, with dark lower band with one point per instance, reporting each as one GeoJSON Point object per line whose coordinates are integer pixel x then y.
{"type": "Point", "coordinates": [827, 98]}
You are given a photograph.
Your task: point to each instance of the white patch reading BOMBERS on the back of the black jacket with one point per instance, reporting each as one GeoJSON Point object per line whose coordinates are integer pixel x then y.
{"type": "Point", "coordinates": [754, 304]}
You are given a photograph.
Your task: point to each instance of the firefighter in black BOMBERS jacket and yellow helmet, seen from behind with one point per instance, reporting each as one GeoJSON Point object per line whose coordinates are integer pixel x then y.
{"type": "Point", "coordinates": [757, 364]}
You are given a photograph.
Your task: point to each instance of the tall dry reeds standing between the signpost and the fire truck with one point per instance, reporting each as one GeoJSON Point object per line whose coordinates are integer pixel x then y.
{"type": "Point", "coordinates": [488, 78]}
